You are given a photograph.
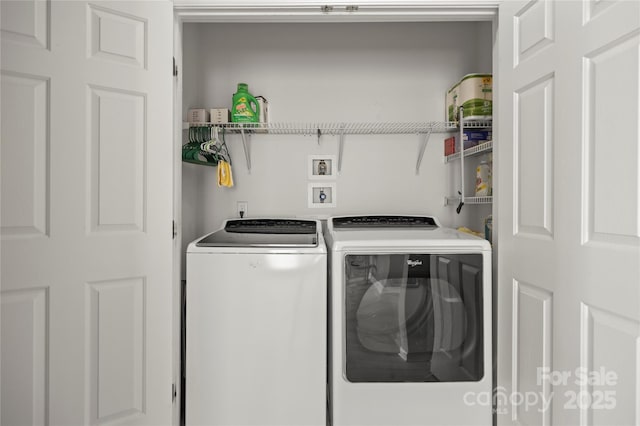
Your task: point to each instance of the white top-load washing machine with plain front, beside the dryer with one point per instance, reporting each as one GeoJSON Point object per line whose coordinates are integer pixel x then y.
{"type": "Point", "coordinates": [256, 303]}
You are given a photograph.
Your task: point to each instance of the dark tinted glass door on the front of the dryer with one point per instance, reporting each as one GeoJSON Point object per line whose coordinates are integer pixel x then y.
{"type": "Point", "coordinates": [413, 317]}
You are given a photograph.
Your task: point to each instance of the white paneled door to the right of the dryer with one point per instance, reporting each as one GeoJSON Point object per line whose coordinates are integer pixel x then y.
{"type": "Point", "coordinates": [569, 213]}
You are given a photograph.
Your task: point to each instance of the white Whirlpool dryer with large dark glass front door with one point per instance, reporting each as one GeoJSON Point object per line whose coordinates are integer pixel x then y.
{"type": "Point", "coordinates": [410, 333]}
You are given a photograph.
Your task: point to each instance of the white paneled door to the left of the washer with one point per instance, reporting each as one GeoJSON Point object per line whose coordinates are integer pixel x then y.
{"type": "Point", "coordinates": [86, 163]}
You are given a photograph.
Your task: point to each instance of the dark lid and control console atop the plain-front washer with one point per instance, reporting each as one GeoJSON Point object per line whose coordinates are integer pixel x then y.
{"type": "Point", "coordinates": [263, 233]}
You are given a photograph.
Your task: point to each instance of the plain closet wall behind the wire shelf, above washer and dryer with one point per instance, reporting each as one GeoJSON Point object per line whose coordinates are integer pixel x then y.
{"type": "Point", "coordinates": [358, 72]}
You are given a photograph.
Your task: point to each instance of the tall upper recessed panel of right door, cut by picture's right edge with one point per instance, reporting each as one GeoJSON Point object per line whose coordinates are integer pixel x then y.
{"type": "Point", "coordinates": [611, 196]}
